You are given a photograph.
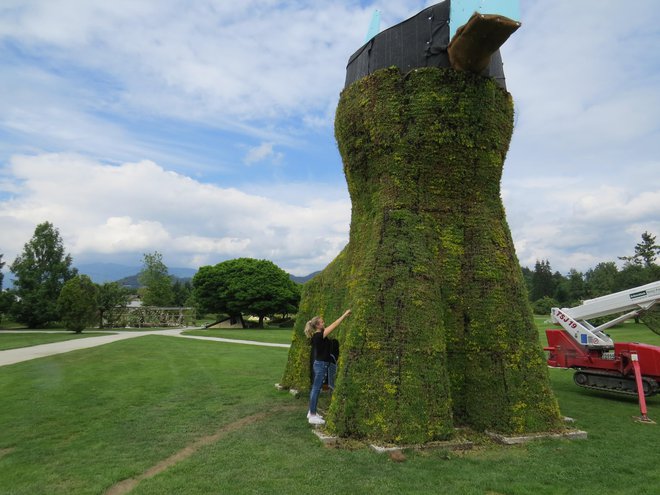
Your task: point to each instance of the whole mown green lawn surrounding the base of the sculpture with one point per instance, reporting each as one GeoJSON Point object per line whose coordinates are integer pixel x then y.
{"type": "Point", "coordinates": [79, 423]}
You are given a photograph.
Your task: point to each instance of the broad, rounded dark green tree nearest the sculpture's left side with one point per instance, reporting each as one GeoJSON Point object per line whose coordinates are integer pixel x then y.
{"type": "Point", "coordinates": [246, 286]}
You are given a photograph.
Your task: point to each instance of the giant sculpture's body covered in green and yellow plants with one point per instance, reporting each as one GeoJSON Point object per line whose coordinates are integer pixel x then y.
{"type": "Point", "coordinates": [441, 333]}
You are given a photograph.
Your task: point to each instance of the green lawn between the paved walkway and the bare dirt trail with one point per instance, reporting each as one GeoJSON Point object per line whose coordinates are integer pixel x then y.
{"type": "Point", "coordinates": [81, 421]}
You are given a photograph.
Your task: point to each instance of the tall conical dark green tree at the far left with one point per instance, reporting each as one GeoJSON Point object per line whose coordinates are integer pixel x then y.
{"type": "Point", "coordinates": [41, 271]}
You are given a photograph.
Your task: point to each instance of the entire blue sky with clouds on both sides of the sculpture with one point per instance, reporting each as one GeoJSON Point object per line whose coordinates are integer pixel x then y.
{"type": "Point", "coordinates": [204, 129]}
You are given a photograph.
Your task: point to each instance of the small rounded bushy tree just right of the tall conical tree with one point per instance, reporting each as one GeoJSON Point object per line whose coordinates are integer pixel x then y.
{"type": "Point", "coordinates": [77, 303]}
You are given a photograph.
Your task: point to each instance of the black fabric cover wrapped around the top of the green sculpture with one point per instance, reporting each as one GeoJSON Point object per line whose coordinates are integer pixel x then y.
{"type": "Point", "coordinates": [420, 41]}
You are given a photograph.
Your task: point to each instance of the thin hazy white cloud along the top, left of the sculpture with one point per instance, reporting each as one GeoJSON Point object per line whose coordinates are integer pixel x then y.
{"type": "Point", "coordinates": [250, 61]}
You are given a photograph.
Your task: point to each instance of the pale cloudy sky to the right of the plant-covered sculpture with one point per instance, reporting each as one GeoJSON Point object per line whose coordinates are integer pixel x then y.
{"type": "Point", "coordinates": [580, 182]}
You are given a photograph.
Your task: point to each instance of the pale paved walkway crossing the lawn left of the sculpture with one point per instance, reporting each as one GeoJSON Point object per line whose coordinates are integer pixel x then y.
{"type": "Point", "coordinates": [12, 356]}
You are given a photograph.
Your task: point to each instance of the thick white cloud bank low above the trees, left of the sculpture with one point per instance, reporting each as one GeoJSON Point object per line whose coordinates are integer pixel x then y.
{"type": "Point", "coordinates": [139, 207]}
